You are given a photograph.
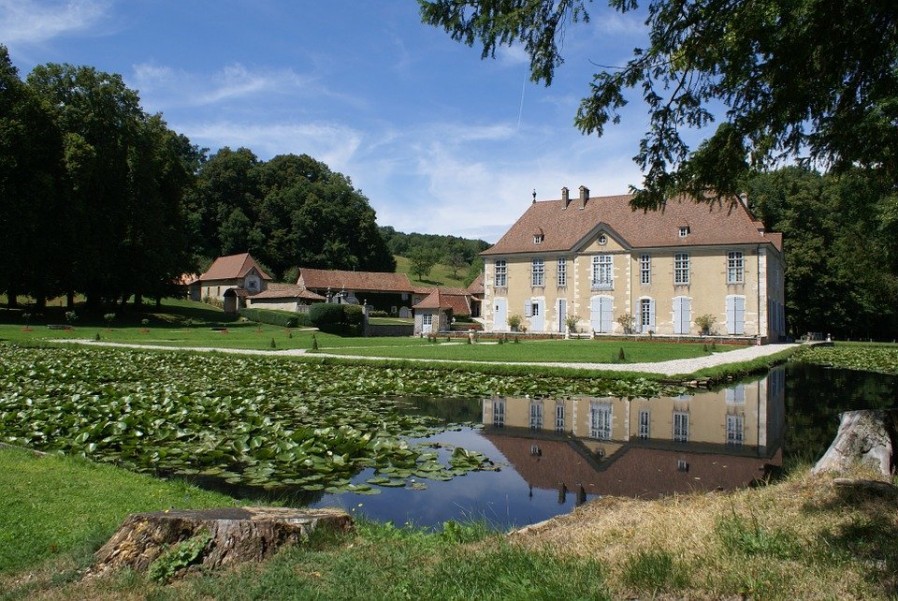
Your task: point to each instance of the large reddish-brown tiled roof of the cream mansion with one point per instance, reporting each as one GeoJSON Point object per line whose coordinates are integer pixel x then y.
{"type": "Point", "coordinates": [563, 229]}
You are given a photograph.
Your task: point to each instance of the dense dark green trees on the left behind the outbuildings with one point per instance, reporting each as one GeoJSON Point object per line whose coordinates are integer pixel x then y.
{"type": "Point", "coordinates": [101, 199]}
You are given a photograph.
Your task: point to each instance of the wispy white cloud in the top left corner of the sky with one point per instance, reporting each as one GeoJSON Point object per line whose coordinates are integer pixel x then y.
{"type": "Point", "coordinates": [30, 22]}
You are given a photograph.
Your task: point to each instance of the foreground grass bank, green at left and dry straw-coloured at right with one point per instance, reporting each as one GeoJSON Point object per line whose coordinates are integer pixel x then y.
{"type": "Point", "coordinates": [801, 538]}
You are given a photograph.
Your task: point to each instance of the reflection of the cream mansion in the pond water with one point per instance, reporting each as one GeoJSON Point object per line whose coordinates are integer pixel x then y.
{"type": "Point", "coordinates": [643, 448]}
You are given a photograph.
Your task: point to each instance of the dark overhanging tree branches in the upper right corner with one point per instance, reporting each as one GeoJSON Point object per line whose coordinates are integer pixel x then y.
{"type": "Point", "coordinates": [811, 78]}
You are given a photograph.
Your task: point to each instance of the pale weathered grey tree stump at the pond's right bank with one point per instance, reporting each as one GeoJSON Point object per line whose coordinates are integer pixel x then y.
{"type": "Point", "coordinates": [865, 437]}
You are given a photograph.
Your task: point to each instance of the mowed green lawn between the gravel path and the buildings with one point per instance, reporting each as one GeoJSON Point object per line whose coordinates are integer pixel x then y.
{"type": "Point", "coordinates": [188, 324]}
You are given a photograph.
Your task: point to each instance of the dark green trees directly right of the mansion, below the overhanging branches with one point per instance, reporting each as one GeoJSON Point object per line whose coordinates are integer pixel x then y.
{"type": "Point", "coordinates": [841, 274]}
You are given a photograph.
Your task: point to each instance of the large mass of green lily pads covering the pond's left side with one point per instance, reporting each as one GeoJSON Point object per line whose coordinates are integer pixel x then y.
{"type": "Point", "coordinates": [257, 421]}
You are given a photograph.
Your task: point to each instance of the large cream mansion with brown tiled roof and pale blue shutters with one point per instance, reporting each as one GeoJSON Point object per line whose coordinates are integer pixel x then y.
{"type": "Point", "coordinates": [662, 270]}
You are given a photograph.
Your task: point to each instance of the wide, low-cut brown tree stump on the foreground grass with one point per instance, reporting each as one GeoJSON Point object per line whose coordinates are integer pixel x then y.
{"type": "Point", "coordinates": [235, 534]}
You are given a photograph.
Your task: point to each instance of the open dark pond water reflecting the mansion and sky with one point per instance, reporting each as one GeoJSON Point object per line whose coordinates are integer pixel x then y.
{"type": "Point", "coordinates": [551, 455]}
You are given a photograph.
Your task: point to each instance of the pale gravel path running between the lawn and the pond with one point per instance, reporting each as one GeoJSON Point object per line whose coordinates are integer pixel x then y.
{"type": "Point", "coordinates": [667, 368]}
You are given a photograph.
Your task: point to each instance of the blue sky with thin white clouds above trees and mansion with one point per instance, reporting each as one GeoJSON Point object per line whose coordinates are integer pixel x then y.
{"type": "Point", "coordinates": [437, 139]}
